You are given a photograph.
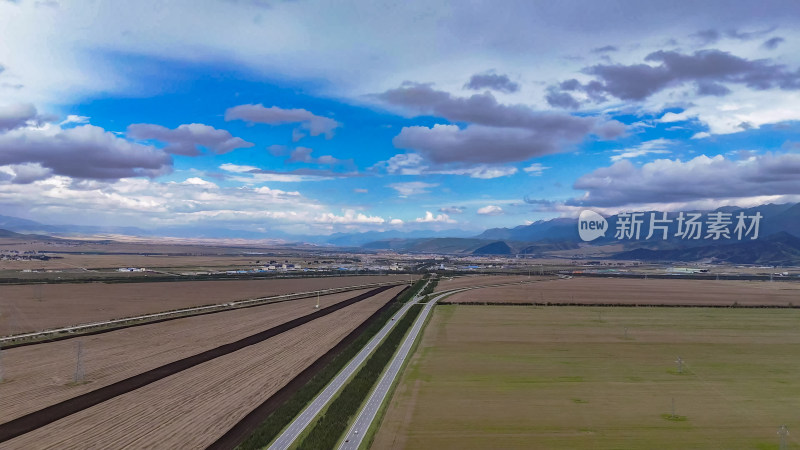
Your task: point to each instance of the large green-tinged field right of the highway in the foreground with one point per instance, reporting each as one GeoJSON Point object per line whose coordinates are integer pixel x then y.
{"type": "Point", "coordinates": [581, 377]}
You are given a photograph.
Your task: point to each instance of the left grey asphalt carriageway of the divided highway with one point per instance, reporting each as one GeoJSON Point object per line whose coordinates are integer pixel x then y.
{"type": "Point", "coordinates": [304, 419]}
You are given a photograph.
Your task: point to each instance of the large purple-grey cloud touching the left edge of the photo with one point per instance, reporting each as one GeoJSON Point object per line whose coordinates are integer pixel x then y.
{"type": "Point", "coordinates": [84, 151]}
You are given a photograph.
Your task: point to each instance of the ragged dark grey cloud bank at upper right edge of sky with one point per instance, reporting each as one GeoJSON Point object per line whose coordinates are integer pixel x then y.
{"type": "Point", "coordinates": [707, 68]}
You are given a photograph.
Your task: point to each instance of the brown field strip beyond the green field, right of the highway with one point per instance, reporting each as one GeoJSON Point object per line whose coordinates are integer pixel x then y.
{"type": "Point", "coordinates": [625, 291]}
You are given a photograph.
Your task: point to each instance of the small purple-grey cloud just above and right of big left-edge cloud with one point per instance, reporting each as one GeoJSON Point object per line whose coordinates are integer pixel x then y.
{"type": "Point", "coordinates": [189, 139]}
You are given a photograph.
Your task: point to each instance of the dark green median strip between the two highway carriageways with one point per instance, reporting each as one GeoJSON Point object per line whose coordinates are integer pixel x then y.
{"type": "Point", "coordinates": [329, 428]}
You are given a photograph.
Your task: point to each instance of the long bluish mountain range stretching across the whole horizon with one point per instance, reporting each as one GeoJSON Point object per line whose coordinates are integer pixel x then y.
{"type": "Point", "coordinates": [778, 241]}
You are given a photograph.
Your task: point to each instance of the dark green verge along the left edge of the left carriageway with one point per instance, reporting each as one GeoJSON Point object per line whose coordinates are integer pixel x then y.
{"type": "Point", "coordinates": [283, 416]}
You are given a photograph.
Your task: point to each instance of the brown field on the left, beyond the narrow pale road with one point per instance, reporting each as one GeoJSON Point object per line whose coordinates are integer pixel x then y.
{"type": "Point", "coordinates": [38, 307]}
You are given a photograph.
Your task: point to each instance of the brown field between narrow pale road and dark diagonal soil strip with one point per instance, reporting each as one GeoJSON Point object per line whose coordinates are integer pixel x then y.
{"type": "Point", "coordinates": [41, 375]}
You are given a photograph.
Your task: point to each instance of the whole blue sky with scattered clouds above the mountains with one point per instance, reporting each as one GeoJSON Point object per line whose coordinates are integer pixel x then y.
{"type": "Point", "coordinates": [318, 117]}
